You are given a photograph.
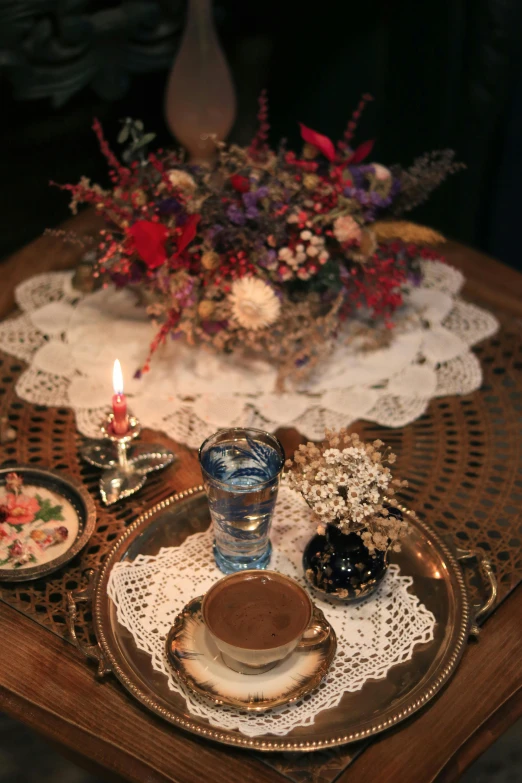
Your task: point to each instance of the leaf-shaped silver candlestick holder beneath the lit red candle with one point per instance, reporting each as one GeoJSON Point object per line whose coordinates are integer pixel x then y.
{"type": "Point", "coordinates": [125, 468]}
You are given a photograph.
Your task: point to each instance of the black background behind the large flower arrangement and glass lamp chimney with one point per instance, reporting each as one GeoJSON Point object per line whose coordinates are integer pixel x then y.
{"type": "Point", "coordinates": [444, 73]}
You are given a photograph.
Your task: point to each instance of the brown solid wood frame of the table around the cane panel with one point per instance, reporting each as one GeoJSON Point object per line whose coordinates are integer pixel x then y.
{"type": "Point", "coordinates": [46, 683]}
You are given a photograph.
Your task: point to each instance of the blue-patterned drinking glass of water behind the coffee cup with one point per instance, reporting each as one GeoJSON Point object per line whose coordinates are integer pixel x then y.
{"type": "Point", "coordinates": [241, 472]}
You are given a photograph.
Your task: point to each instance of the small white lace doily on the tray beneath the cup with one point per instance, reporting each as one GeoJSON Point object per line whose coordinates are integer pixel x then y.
{"type": "Point", "coordinates": [372, 636]}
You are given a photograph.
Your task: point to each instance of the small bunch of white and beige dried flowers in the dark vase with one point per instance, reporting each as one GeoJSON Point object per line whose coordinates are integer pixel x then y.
{"type": "Point", "coordinates": [345, 481]}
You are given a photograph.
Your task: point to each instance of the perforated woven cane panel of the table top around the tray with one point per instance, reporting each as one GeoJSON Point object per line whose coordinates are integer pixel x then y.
{"type": "Point", "coordinates": [463, 461]}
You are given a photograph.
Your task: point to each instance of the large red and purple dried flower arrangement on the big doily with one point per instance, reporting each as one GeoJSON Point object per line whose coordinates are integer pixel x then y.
{"type": "Point", "coordinates": [264, 250]}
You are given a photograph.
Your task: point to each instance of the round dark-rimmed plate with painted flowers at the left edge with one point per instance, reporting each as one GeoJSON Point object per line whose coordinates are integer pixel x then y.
{"type": "Point", "coordinates": [45, 519]}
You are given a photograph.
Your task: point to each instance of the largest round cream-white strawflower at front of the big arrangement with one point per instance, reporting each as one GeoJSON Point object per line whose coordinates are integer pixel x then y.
{"type": "Point", "coordinates": [254, 303]}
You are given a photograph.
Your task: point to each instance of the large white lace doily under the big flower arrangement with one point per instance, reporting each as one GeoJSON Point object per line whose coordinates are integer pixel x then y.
{"type": "Point", "coordinates": [70, 342]}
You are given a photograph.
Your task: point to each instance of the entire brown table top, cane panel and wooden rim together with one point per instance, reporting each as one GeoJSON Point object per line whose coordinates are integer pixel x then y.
{"type": "Point", "coordinates": [464, 463]}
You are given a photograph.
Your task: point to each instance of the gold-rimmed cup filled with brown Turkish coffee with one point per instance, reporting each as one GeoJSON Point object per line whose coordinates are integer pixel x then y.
{"type": "Point", "coordinates": [257, 618]}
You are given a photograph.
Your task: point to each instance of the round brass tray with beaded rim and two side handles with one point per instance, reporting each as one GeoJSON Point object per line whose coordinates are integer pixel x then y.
{"type": "Point", "coordinates": [438, 583]}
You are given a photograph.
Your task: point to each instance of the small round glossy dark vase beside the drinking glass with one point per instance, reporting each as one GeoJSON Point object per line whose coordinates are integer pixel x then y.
{"type": "Point", "coordinates": [340, 565]}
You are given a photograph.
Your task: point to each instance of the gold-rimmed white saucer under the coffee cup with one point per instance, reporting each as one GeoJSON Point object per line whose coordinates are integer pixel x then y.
{"type": "Point", "coordinates": [193, 654]}
